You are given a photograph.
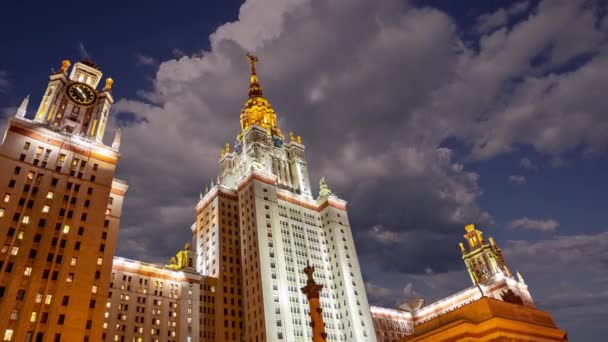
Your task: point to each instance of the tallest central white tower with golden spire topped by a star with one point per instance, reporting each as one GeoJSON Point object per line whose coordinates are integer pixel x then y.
{"type": "Point", "coordinates": [260, 224]}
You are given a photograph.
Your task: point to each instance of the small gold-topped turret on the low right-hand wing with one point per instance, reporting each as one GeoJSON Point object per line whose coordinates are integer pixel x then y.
{"type": "Point", "coordinates": [483, 260]}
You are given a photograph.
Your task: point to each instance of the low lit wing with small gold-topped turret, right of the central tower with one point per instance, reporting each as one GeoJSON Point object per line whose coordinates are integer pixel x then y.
{"type": "Point", "coordinates": [491, 279]}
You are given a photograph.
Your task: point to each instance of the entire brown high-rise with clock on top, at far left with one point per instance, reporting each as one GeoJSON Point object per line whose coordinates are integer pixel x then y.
{"type": "Point", "coordinates": [59, 212]}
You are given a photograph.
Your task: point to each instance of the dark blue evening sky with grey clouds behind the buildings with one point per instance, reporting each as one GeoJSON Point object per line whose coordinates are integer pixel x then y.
{"type": "Point", "coordinates": [424, 116]}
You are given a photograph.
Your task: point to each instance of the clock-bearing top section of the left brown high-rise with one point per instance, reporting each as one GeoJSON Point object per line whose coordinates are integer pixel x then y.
{"type": "Point", "coordinates": [72, 103]}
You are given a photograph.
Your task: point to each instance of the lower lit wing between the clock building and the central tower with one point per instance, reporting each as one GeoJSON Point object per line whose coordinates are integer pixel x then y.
{"type": "Point", "coordinates": [154, 303]}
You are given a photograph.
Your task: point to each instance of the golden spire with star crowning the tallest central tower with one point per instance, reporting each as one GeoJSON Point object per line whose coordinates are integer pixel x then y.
{"type": "Point", "coordinates": [257, 110]}
